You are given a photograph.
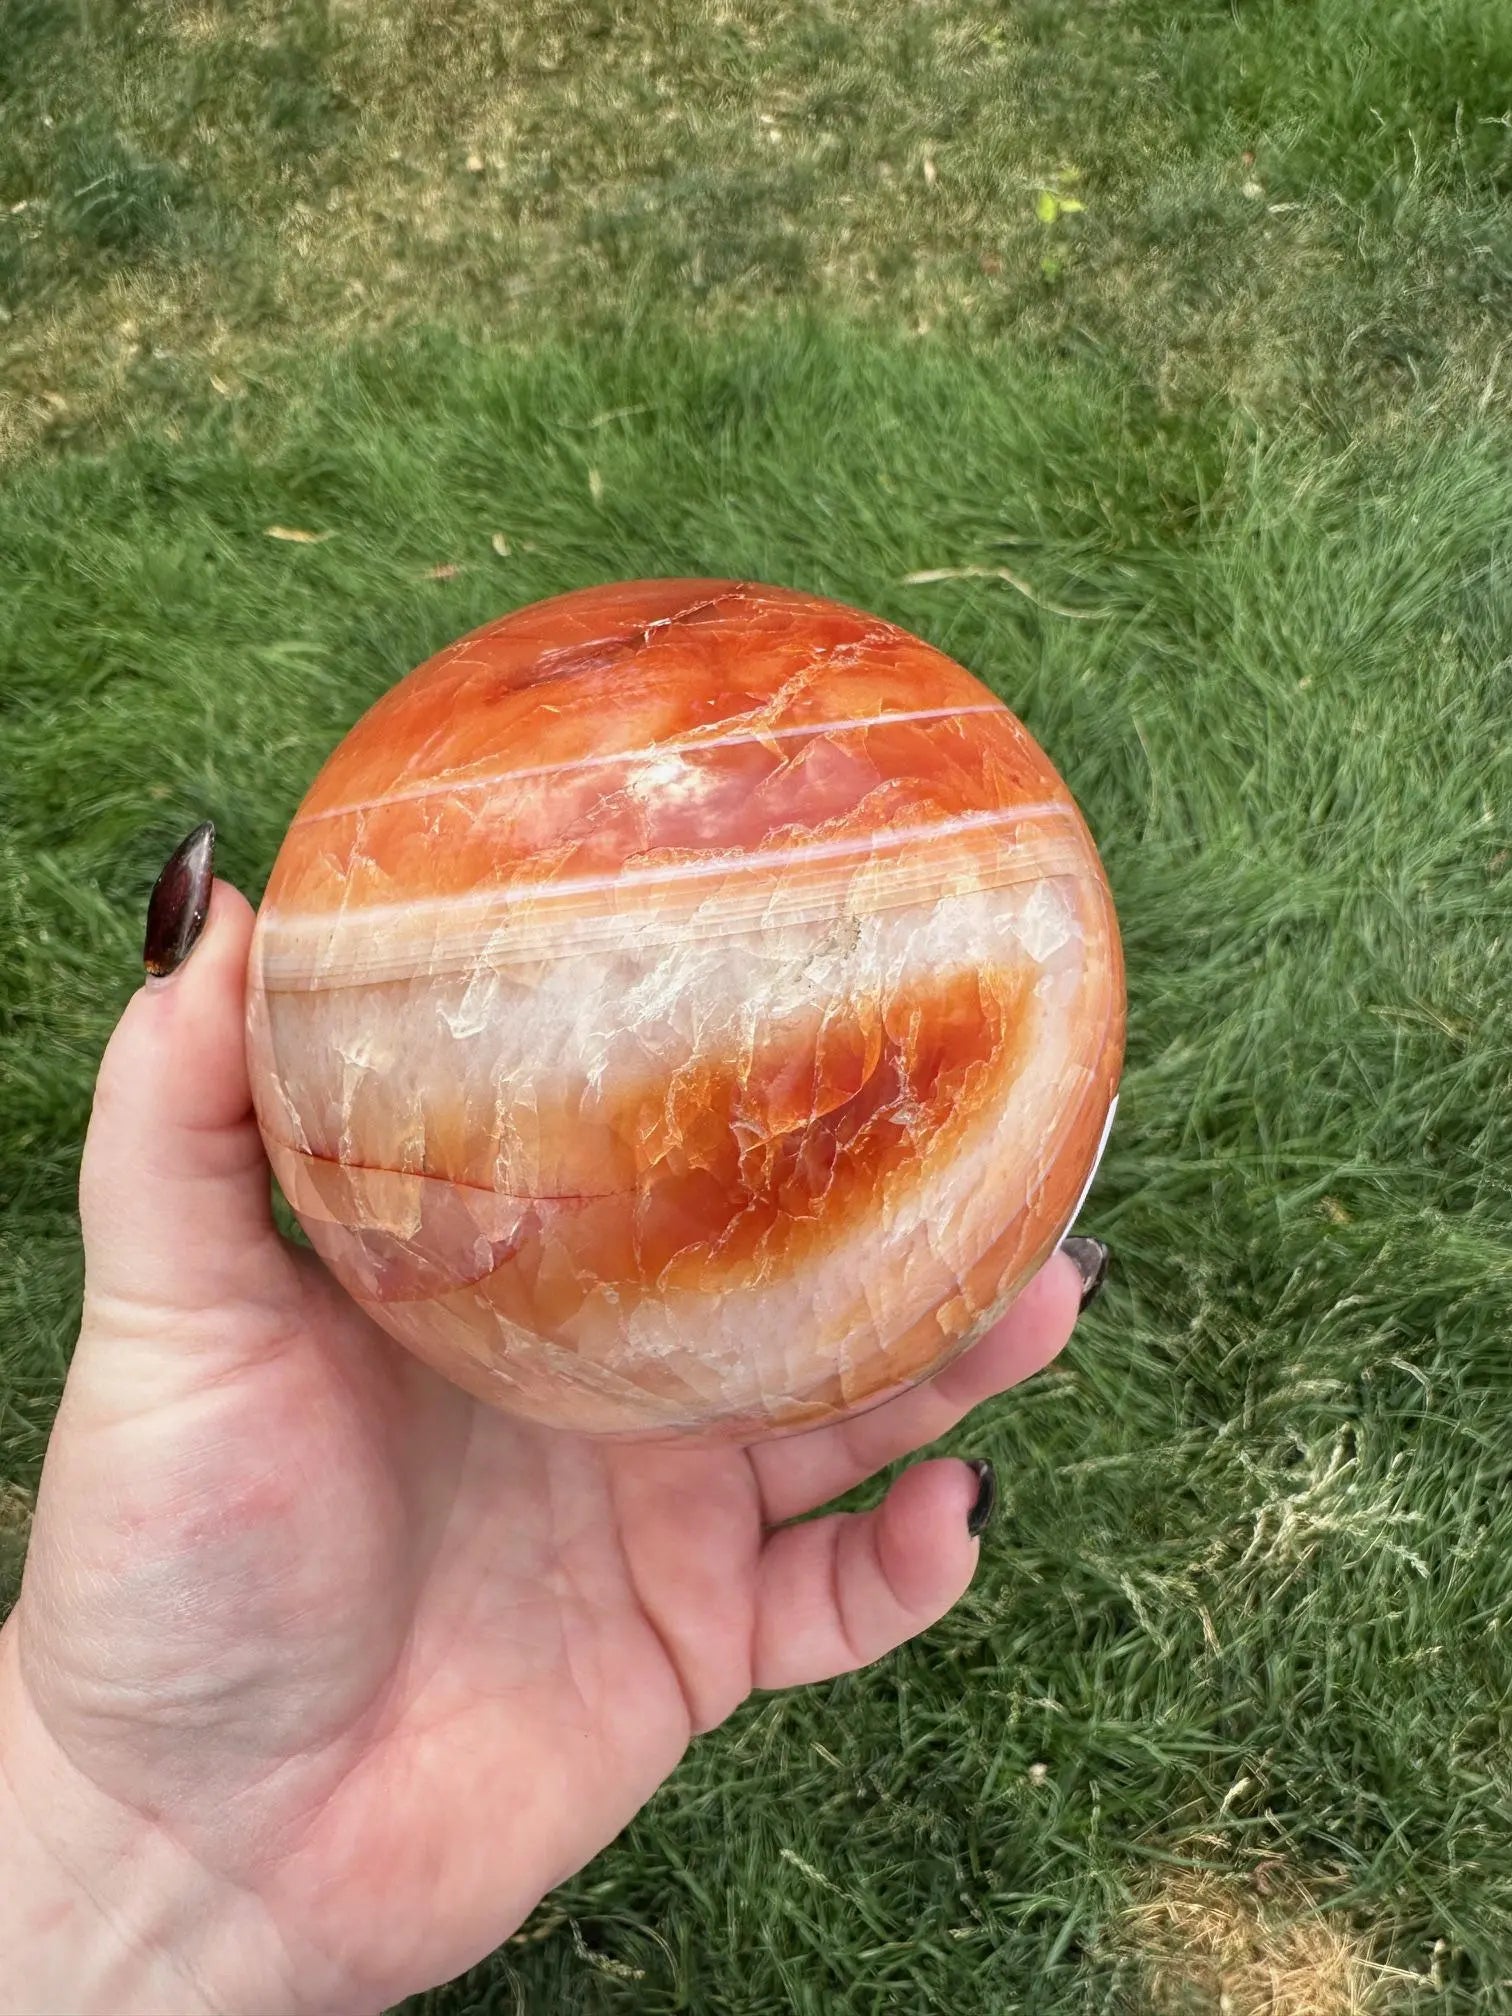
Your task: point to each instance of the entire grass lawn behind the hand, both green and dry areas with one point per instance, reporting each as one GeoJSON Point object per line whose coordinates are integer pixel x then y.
{"type": "Point", "coordinates": [1192, 318]}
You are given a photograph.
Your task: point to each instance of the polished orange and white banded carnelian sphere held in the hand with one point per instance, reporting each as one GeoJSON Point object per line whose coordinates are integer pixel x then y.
{"type": "Point", "coordinates": [686, 1007]}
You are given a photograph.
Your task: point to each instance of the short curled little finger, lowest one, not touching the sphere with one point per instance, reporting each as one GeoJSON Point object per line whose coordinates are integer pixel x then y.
{"type": "Point", "coordinates": [838, 1594]}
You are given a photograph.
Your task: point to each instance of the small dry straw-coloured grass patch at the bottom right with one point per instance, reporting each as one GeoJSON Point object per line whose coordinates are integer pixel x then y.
{"type": "Point", "coordinates": [1259, 1946]}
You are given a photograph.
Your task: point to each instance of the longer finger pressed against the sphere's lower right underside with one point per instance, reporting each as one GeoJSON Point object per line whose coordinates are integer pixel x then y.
{"type": "Point", "coordinates": [807, 1471]}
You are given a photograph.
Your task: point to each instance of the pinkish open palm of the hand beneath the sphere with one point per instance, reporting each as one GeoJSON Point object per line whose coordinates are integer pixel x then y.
{"type": "Point", "coordinates": [445, 1628]}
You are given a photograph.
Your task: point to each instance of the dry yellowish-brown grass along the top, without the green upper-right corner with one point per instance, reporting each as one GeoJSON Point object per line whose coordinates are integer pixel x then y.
{"type": "Point", "coordinates": [499, 170]}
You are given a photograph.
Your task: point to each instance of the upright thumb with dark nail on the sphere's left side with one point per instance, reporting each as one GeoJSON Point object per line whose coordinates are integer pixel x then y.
{"type": "Point", "coordinates": [174, 1186]}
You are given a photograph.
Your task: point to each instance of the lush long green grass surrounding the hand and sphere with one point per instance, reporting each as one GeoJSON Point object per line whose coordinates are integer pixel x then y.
{"type": "Point", "coordinates": [1259, 1525]}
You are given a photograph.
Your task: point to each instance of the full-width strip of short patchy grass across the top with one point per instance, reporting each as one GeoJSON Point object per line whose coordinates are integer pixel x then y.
{"type": "Point", "coordinates": [1283, 207]}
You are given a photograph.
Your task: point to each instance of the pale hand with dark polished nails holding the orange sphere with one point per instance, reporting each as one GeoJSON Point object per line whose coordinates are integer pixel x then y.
{"type": "Point", "coordinates": [324, 1672]}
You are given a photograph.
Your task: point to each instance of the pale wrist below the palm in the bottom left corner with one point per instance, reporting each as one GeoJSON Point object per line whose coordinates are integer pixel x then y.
{"type": "Point", "coordinates": [100, 1910]}
